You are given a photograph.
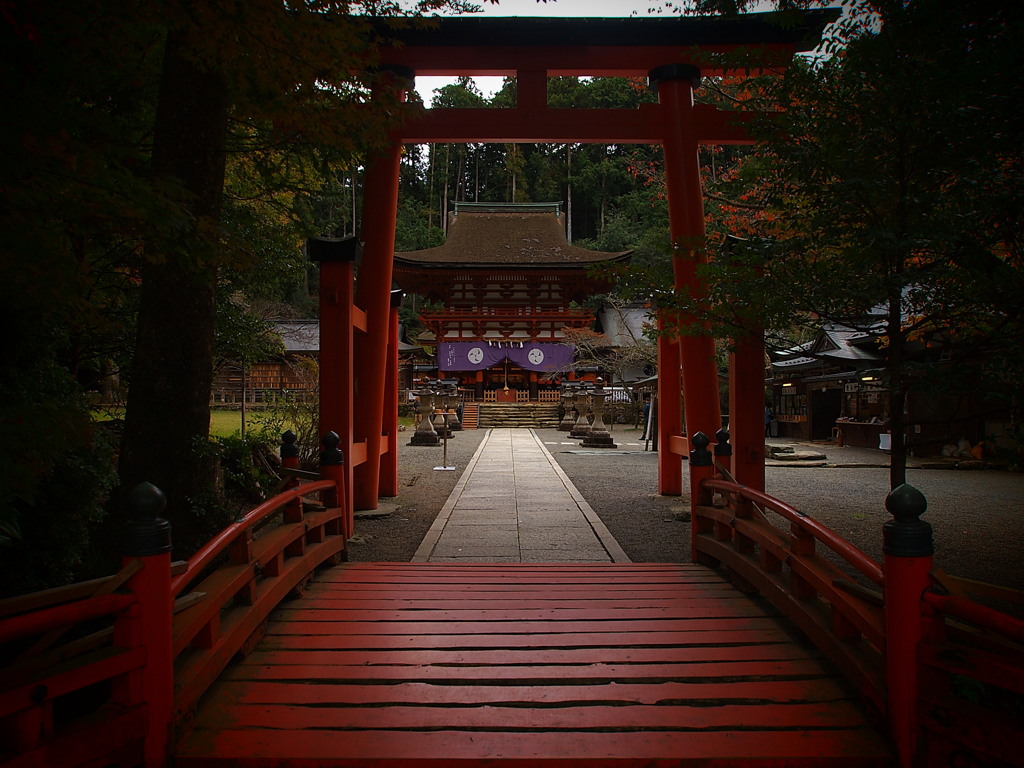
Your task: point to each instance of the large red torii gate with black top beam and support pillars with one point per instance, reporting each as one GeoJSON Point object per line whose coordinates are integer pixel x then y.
{"type": "Point", "coordinates": [674, 54]}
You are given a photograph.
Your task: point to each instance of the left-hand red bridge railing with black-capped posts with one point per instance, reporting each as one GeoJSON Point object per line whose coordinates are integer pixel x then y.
{"type": "Point", "coordinates": [102, 673]}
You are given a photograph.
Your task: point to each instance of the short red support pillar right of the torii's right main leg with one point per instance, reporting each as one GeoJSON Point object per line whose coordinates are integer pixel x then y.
{"type": "Point", "coordinates": [747, 408]}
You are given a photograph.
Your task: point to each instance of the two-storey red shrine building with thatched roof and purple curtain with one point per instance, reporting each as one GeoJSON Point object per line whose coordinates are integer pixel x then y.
{"type": "Point", "coordinates": [510, 283]}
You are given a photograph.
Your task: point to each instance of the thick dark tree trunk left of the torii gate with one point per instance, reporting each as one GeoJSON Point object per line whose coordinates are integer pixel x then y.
{"type": "Point", "coordinates": [168, 415]}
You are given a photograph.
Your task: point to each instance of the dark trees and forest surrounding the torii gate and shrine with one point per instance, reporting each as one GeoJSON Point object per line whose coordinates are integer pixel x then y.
{"type": "Point", "coordinates": [163, 162]}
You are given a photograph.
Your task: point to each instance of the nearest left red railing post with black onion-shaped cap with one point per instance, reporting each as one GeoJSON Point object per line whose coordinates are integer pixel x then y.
{"type": "Point", "coordinates": [148, 623]}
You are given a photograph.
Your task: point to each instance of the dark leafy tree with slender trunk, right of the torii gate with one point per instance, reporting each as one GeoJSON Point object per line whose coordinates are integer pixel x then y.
{"type": "Point", "coordinates": [884, 199]}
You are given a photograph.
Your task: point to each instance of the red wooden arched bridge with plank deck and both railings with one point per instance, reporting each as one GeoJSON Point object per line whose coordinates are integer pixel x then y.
{"type": "Point", "coordinates": [216, 662]}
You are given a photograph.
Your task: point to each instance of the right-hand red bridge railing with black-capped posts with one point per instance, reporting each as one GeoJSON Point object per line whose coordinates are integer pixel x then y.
{"type": "Point", "coordinates": [944, 670]}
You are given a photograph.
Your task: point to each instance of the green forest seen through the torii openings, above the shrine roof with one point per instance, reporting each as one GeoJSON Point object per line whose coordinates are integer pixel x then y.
{"type": "Point", "coordinates": [610, 205]}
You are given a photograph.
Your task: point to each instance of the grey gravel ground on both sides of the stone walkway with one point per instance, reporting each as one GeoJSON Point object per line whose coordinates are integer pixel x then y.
{"type": "Point", "coordinates": [978, 517]}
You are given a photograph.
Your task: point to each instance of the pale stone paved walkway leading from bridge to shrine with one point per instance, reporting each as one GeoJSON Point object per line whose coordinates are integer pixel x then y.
{"type": "Point", "coordinates": [515, 504]}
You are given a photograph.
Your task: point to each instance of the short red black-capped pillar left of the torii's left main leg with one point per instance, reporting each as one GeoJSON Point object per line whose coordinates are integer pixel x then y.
{"type": "Point", "coordinates": [336, 259]}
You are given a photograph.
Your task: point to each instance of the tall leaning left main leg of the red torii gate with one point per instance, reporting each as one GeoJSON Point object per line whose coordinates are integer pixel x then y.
{"type": "Point", "coordinates": [380, 206]}
